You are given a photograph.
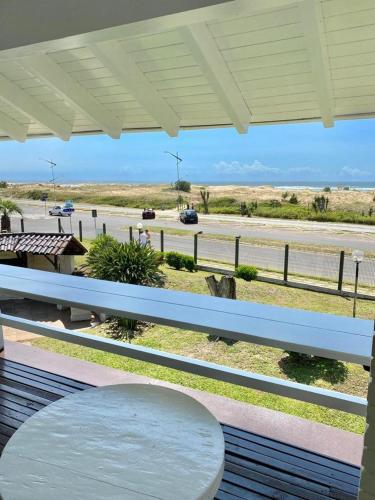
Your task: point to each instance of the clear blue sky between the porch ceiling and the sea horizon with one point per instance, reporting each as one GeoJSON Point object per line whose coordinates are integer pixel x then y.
{"type": "Point", "coordinates": [280, 153]}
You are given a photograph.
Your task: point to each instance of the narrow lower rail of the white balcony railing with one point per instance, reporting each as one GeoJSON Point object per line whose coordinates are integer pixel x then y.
{"type": "Point", "coordinates": [301, 392]}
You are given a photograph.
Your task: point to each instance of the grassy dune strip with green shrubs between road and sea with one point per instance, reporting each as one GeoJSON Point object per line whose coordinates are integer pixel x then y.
{"type": "Point", "coordinates": [358, 208]}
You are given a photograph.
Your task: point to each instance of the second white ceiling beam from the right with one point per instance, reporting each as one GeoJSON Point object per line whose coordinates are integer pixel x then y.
{"type": "Point", "coordinates": [206, 53]}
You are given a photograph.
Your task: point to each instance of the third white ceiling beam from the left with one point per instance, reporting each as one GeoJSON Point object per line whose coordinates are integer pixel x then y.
{"type": "Point", "coordinates": [47, 70]}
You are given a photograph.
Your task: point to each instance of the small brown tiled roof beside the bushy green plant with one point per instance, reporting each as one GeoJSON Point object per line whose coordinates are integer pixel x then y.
{"type": "Point", "coordinates": [41, 243]}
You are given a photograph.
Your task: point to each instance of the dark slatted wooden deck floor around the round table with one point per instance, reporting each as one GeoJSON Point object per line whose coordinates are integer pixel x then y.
{"type": "Point", "coordinates": [255, 467]}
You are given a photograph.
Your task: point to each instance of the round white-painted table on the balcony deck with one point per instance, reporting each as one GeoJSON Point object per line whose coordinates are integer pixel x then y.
{"type": "Point", "coordinates": [129, 441]}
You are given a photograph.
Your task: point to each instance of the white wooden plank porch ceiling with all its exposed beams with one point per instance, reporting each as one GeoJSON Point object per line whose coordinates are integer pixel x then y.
{"type": "Point", "coordinates": [183, 65]}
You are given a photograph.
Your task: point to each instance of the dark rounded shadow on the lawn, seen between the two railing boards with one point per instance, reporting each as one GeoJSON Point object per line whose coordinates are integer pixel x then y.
{"type": "Point", "coordinates": [307, 370]}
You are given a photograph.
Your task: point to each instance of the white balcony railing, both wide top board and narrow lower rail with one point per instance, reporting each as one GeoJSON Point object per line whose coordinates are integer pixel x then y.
{"type": "Point", "coordinates": [318, 334]}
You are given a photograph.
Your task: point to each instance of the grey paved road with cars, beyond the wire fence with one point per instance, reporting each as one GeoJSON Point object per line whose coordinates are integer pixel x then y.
{"type": "Point", "coordinates": [266, 257]}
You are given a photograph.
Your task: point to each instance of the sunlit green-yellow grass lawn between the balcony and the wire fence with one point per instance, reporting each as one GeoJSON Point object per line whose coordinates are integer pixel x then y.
{"type": "Point", "coordinates": [336, 375]}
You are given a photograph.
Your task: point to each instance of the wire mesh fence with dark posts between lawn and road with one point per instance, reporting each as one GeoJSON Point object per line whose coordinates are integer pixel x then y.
{"type": "Point", "coordinates": [326, 270]}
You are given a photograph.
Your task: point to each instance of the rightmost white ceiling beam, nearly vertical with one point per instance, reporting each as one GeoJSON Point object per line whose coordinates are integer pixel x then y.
{"type": "Point", "coordinates": [312, 22]}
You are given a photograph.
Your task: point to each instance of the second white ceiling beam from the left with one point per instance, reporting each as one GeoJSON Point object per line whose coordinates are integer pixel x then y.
{"type": "Point", "coordinates": [28, 105]}
